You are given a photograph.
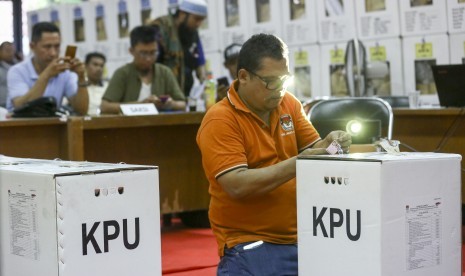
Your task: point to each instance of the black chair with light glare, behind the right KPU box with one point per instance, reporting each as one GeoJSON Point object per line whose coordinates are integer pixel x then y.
{"type": "Point", "coordinates": [374, 114]}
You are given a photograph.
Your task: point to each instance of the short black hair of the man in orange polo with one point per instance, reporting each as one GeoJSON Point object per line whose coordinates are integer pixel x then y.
{"type": "Point", "coordinates": [258, 47]}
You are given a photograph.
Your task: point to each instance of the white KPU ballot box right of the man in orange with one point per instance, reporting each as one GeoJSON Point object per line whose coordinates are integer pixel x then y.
{"type": "Point", "coordinates": [377, 214]}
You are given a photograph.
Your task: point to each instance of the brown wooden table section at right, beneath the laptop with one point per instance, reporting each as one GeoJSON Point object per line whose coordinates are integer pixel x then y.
{"type": "Point", "coordinates": [432, 130]}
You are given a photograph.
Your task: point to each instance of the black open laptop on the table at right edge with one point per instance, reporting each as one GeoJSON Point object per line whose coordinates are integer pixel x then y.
{"type": "Point", "coordinates": [450, 84]}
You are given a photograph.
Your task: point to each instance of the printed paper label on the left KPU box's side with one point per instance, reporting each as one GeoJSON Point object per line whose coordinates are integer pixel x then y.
{"type": "Point", "coordinates": [24, 236]}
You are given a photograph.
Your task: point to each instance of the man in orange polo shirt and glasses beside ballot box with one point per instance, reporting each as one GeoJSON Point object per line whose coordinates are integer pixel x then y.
{"type": "Point", "coordinates": [249, 143]}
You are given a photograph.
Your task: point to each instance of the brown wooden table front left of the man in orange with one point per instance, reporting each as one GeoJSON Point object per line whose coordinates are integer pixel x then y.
{"type": "Point", "coordinates": [165, 140]}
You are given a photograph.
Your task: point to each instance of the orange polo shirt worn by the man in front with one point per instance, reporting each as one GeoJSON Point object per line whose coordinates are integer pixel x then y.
{"type": "Point", "coordinates": [230, 137]}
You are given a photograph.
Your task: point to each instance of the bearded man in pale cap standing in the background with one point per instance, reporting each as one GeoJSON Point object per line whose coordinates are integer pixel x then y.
{"type": "Point", "coordinates": [179, 43]}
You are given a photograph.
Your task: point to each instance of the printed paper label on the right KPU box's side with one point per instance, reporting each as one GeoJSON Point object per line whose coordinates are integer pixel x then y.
{"type": "Point", "coordinates": [423, 224]}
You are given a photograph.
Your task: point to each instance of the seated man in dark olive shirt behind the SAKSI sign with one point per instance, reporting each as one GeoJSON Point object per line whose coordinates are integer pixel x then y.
{"type": "Point", "coordinates": [143, 80]}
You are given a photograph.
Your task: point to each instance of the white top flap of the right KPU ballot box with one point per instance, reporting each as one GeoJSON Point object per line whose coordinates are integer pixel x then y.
{"type": "Point", "coordinates": [381, 156]}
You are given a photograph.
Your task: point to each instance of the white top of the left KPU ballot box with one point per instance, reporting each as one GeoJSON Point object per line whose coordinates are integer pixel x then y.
{"type": "Point", "coordinates": [60, 167]}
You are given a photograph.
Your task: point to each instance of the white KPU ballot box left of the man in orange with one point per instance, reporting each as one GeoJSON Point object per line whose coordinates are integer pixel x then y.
{"type": "Point", "coordinates": [62, 218]}
